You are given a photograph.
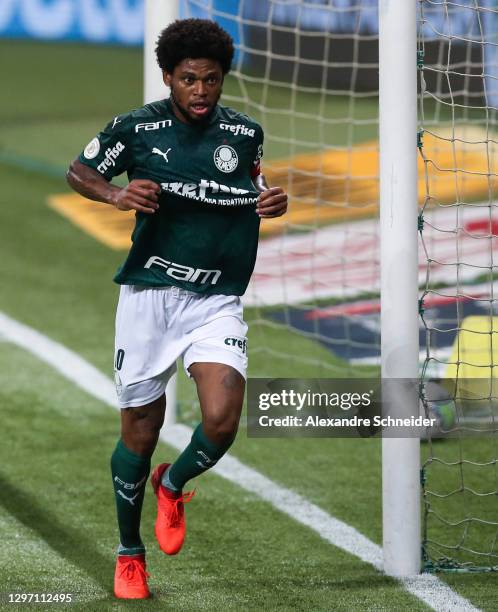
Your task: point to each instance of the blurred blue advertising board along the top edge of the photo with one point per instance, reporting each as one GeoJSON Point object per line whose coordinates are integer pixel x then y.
{"type": "Point", "coordinates": [121, 21]}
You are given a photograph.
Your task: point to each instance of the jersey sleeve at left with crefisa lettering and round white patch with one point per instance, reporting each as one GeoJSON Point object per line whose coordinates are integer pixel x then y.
{"type": "Point", "coordinates": [109, 152]}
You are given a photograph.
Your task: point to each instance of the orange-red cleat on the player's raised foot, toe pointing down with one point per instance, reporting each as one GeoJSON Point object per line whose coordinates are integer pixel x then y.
{"type": "Point", "coordinates": [170, 521]}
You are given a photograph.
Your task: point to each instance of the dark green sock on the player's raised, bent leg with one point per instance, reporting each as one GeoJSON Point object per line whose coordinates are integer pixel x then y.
{"type": "Point", "coordinates": [200, 455]}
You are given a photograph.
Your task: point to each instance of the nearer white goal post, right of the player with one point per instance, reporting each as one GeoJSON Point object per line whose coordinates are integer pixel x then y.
{"type": "Point", "coordinates": [399, 276]}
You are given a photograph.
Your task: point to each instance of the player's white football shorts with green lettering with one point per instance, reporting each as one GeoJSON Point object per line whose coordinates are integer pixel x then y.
{"type": "Point", "coordinates": [156, 325]}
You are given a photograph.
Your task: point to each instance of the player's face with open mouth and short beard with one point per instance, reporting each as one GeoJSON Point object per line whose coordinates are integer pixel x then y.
{"type": "Point", "coordinates": [195, 88]}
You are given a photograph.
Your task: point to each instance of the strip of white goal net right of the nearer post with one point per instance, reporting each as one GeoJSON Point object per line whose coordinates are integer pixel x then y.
{"type": "Point", "coordinates": [458, 68]}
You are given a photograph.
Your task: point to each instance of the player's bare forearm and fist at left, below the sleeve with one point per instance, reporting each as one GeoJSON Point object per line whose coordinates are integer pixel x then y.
{"type": "Point", "coordinates": [139, 194]}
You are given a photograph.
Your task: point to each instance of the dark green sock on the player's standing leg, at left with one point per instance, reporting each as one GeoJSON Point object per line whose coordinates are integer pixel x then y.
{"type": "Point", "coordinates": [129, 477]}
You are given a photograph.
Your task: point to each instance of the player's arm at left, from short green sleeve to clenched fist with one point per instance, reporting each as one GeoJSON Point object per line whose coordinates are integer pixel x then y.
{"type": "Point", "coordinates": [108, 155]}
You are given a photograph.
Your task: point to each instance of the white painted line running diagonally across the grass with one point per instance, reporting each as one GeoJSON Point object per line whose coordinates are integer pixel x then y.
{"type": "Point", "coordinates": [427, 587]}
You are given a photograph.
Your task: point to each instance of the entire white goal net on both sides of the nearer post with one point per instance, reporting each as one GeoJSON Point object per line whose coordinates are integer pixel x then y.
{"type": "Point", "coordinates": [307, 70]}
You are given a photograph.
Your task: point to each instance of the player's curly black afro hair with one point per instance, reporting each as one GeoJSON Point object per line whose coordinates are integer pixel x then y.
{"type": "Point", "coordinates": [194, 38]}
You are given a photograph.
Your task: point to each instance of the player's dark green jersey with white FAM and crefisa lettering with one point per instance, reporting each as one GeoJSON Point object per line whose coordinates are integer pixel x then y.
{"type": "Point", "coordinates": [204, 235]}
